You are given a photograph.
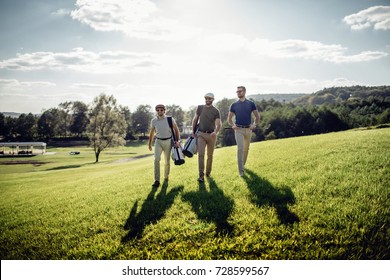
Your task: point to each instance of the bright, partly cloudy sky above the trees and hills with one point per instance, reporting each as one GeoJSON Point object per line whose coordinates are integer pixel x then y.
{"type": "Point", "coordinates": [175, 51]}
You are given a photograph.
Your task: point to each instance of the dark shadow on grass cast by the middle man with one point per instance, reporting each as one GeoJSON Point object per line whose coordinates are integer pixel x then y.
{"type": "Point", "coordinates": [212, 206]}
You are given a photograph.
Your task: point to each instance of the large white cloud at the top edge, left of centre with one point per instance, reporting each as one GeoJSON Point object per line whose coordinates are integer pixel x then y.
{"type": "Point", "coordinates": [135, 18]}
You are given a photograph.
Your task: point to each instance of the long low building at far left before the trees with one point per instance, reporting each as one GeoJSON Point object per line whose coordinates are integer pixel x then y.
{"type": "Point", "coordinates": [22, 148]}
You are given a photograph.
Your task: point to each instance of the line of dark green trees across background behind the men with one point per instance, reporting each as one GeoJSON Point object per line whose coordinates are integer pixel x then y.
{"type": "Point", "coordinates": [332, 109]}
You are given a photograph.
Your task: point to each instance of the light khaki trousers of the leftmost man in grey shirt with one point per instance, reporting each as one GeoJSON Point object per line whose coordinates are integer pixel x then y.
{"type": "Point", "coordinates": [161, 146]}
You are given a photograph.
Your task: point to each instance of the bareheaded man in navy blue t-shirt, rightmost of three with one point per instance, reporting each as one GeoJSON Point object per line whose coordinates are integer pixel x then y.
{"type": "Point", "coordinates": [242, 109]}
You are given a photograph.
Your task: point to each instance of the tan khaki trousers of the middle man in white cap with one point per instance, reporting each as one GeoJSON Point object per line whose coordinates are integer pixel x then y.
{"type": "Point", "coordinates": [205, 140]}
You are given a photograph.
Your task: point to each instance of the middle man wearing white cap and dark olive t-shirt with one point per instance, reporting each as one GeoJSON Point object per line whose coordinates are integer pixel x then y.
{"type": "Point", "coordinates": [209, 120]}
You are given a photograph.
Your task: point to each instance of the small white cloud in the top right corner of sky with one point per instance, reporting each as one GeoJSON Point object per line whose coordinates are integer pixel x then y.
{"type": "Point", "coordinates": [377, 17]}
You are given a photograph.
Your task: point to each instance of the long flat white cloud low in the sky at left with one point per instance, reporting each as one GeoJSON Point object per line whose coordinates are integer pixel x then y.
{"type": "Point", "coordinates": [108, 62]}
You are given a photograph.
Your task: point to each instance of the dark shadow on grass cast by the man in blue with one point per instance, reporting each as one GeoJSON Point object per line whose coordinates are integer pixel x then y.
{"type": "Point", "coordinates": [263, 193]}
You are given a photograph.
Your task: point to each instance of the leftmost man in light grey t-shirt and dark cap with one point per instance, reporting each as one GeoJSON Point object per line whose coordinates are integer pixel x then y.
{"type": "Point", "coordinates": [163, 143]}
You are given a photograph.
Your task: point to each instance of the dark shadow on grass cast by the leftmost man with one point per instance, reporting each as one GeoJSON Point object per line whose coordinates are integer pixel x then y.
{"type": "Point", "coordinates": [153, 209]}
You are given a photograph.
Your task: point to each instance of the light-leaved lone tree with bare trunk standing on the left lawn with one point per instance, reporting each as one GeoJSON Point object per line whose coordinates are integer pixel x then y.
{"type": "Point", "coordinates": [107, 126]}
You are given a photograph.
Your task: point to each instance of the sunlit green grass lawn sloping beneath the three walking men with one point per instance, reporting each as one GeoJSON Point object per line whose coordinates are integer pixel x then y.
{"type": "Point", "coordinates": [317, 197]}
